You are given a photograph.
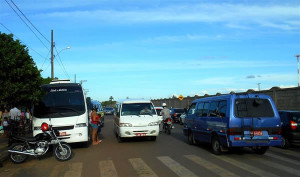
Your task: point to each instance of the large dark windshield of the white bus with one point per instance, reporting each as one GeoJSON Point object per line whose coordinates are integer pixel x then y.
{"type": "Point", "coordinates": [63, 100]}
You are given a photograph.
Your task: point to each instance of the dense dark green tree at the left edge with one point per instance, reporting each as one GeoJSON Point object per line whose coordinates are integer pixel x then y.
{"type": "Point", "coordinates": [20, 79]}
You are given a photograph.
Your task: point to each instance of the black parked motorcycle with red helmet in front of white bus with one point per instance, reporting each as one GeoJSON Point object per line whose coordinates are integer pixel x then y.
{"type": "Point", "coordinates": [39, 145]}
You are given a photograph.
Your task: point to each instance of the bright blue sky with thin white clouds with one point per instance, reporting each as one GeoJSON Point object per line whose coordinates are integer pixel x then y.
{"type": "Point", "coordinates": [160, 48]}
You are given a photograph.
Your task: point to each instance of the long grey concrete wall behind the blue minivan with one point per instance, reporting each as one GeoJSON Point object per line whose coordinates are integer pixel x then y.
{"type": "Point", "coordinates": [285, 99]}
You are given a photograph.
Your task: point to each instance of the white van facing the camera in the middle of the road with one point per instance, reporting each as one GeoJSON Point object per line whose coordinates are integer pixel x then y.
{"type": "Point", "coordinates": [136, 118]}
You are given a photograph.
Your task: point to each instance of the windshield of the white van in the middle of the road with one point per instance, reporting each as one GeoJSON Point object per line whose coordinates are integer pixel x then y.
{"type": "Point", "coordinates": [138, 109]}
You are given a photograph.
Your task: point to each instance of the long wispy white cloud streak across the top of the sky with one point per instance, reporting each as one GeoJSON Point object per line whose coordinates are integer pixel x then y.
{"type": "Point", "coordinates": [232, 15]}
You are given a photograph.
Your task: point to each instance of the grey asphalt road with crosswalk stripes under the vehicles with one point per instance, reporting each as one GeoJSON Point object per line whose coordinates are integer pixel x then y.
{"type": "Point", "coordinates": [169, 155]}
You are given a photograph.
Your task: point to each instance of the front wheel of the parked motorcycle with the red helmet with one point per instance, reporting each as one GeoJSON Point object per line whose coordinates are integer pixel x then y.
{"type": "Point", "coordinates": [63, 152]}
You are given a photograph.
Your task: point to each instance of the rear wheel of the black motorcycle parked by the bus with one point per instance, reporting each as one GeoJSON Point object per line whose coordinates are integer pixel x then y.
{"type": "Point", "coordinates": [16, 157]}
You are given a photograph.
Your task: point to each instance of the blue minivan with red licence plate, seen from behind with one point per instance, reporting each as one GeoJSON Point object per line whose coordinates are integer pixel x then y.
{"type": "Point", "coordinates": [235, 120]}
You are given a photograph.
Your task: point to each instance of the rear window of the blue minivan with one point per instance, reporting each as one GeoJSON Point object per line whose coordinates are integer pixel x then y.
{"type": "Point", "coordinates": [253, 107]}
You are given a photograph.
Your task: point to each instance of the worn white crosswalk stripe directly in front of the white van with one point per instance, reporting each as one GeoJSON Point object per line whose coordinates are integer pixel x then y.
{"type": "Point", "coordinates": [142, 169]}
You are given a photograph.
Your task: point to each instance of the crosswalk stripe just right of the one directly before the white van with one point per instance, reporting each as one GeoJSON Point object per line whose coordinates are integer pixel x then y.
{"type": "Point", "coordinates": [176, 167]}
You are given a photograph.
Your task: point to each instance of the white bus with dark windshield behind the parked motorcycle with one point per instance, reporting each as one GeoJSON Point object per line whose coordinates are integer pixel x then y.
{"type": "Point", "coordinates": [65, 103]}
